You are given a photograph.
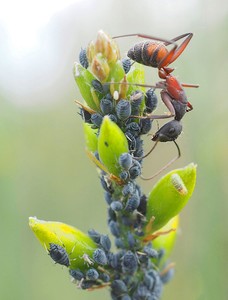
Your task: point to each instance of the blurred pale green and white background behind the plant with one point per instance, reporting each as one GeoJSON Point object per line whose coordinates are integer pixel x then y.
{"type": "Point", "coordinates": [44, 170]}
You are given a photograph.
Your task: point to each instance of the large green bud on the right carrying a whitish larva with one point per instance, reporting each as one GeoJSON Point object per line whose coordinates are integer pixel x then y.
{"type": "Point", "coordinates": [170, 195]}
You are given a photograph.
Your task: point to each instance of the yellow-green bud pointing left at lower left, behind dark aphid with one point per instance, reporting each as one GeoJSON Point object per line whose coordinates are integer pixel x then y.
{"type": "Point", "coordinates": [75, 242]}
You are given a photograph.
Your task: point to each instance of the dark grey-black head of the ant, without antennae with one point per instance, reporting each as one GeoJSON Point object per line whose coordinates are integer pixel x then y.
{"type": "Point", "coordinates": [168, 132]}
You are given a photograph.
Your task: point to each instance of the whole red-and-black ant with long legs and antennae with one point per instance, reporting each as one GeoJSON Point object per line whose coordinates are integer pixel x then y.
{"type": "Point", "coordinates": [154, 53]}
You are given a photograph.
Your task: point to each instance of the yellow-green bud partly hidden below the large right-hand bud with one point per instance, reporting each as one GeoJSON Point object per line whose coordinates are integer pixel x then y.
{"type": "Point", "coordinates": [167, 241]}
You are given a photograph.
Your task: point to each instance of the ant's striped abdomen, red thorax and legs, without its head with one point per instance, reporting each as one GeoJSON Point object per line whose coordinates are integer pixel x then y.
{"type": "Point", "coordinates": [155, 54]}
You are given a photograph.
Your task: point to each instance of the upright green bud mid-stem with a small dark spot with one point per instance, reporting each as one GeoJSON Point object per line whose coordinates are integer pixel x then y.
{"type": "Point", "coordinates": [111, 144]}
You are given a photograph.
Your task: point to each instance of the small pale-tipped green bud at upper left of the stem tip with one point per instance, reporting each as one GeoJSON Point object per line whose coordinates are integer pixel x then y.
{"type": "Point", "coordinates": [83, 78]}
